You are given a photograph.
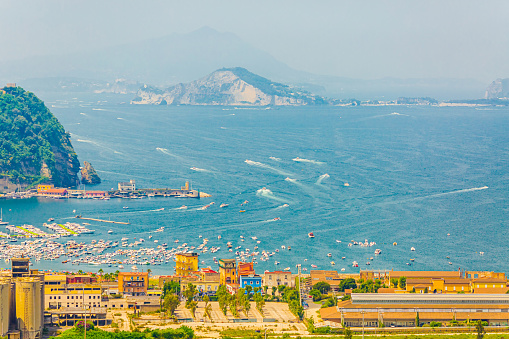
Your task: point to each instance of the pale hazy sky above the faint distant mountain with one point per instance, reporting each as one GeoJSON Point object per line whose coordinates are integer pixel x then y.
{"type": "Point", "coordinates": [359, 39]}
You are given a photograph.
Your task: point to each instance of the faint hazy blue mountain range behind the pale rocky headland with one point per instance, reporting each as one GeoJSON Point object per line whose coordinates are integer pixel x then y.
{"type": "Point", "coordinates": [177, 58]}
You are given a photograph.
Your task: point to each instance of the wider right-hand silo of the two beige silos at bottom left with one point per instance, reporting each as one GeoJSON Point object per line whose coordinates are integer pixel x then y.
{"type": "Point", "coordinates": [28, 307]}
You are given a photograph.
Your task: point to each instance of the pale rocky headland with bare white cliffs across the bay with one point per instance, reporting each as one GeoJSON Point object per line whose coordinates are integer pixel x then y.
{"type": "Point", "coordinates": [229, 86]}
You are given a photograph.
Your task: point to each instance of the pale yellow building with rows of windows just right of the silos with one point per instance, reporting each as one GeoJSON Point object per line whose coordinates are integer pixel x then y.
{"type": "Point", "coordinates": [59, 293]}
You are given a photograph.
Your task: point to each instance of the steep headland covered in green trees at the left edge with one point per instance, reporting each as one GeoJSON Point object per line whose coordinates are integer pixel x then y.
{"type": "Point", "coordinates": [34, 146]}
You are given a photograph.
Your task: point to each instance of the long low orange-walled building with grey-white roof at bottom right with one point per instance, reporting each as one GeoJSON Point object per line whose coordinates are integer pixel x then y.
{"type": "Point", "coordinates": [402, 310]}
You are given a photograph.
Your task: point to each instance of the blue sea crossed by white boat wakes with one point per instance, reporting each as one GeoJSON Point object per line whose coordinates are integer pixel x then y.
{"type": "Point", "coordinates": [432, 178]}
